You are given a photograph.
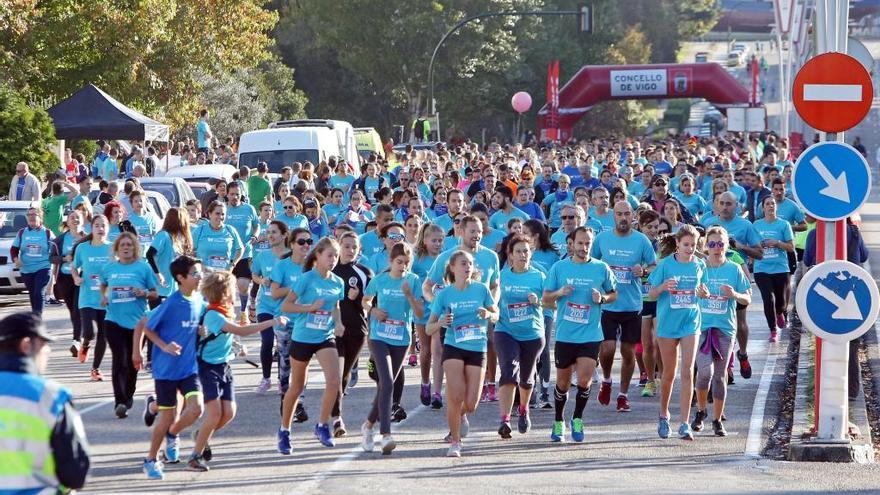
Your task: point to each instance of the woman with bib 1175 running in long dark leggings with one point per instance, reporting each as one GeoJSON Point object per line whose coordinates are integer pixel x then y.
{"type": "Point", "coordinates": [397, 296]}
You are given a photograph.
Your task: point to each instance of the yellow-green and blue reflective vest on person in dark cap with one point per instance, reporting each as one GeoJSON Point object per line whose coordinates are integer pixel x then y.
{"type": "Point", "coordinates": [29, 408]}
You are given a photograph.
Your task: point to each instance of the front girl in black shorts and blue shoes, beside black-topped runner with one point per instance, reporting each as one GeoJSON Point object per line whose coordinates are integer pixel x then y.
{"type": "Point", "coordinates": [314, 299]}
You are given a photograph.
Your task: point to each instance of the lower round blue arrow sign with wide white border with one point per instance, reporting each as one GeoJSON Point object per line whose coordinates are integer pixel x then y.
{"type": "Point", "coordinates": [838, 300]}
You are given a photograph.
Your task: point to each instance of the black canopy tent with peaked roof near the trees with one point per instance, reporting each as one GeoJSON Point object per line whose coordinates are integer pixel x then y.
{"type": "Point", "coordinates": [93, 114]}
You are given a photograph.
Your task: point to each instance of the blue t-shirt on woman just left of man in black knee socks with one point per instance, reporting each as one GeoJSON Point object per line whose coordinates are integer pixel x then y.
{"type": "Point", "coordinates": [519, 318]}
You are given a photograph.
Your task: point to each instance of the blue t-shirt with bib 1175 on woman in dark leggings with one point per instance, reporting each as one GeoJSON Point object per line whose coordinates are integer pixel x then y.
{"type": "Point", "coordinates": [395, 329]}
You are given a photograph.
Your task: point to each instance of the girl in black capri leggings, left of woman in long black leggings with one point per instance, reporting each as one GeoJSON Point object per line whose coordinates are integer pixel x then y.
{"type": "Point", "coordinates": [89, 259]}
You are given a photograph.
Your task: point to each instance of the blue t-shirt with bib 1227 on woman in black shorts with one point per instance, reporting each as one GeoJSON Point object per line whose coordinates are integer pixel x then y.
{"type": "Point", "coordinates": [468, 331]}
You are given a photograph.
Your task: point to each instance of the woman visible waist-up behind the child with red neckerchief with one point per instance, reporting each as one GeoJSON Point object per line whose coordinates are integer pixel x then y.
{"type": "Point", "coordinates": [216, 243]}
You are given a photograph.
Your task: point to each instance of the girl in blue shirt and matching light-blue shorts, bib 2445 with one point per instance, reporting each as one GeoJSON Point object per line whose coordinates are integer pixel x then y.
{"type": "Point", "coordinates": [677, 282]}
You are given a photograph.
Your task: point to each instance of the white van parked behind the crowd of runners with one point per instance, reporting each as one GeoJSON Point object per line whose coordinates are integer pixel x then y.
{"type": "Point", "coordinates": [289, 141]}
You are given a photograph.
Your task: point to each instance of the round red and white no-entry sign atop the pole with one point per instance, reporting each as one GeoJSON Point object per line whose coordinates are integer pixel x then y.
{"type": "Point", "coordinates": [832, 92]}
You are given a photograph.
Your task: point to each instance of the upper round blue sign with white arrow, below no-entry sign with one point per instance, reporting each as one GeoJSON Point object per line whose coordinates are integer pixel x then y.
{"type": "Point", "coordinates": [831, 180]}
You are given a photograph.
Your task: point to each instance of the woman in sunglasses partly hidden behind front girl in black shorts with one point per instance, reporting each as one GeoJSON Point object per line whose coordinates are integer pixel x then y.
{"type": "Point", "coordinates": [283, 278]}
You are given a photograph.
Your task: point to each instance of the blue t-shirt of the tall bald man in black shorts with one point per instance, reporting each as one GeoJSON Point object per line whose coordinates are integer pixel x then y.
{"type": "Point", "coordinates": [622, 254]}
